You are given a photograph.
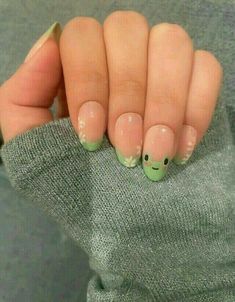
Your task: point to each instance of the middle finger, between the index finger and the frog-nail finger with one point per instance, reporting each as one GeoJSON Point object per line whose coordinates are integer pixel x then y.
{"type": "Point", "coordinates": [126, 40]}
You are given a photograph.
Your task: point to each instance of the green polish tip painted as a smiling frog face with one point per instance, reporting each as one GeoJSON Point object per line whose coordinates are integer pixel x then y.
{"type": "Point", "coordinates": [155, 170]}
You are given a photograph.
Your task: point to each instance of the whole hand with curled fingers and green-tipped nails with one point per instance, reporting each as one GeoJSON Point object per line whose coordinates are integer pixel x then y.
{"type": "Point", "coordinates": [153, 93]}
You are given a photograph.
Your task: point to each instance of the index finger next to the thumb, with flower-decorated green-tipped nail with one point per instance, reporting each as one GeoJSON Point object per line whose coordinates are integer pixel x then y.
{"type": "Point", "coordinates": [86, 79]}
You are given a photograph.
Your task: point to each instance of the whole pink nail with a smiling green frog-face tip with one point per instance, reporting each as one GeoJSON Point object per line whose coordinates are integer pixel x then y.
{"type": "Point", "coordinates": [157, 151]}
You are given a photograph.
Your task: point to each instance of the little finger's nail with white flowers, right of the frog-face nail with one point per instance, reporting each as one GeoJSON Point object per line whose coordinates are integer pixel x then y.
{"type": "Point", "coordinates": [187, 141]}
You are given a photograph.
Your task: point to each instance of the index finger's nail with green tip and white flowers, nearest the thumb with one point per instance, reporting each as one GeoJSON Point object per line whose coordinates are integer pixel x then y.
{"type": "Point", "coordinates": [91, 125]}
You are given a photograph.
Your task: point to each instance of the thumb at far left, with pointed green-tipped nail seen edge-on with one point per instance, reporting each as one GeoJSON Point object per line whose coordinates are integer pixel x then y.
{"type": "Point", "coordinates": [26, 97]}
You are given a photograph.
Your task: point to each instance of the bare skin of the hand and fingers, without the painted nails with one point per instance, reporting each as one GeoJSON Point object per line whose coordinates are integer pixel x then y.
{"type": "Point", "coordinates": [115, 76]}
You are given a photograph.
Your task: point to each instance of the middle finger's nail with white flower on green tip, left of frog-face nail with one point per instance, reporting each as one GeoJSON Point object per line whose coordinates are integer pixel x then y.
{"type": "Point", "coordinates": [128, 138]}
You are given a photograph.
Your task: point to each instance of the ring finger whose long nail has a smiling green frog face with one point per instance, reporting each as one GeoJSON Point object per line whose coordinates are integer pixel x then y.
{"type": "Point", "coordinates": [170, 59]}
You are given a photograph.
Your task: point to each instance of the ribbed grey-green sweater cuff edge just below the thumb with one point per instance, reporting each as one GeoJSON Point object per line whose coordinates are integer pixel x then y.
{"type": "Point", "coordinates": [40, 145]}
